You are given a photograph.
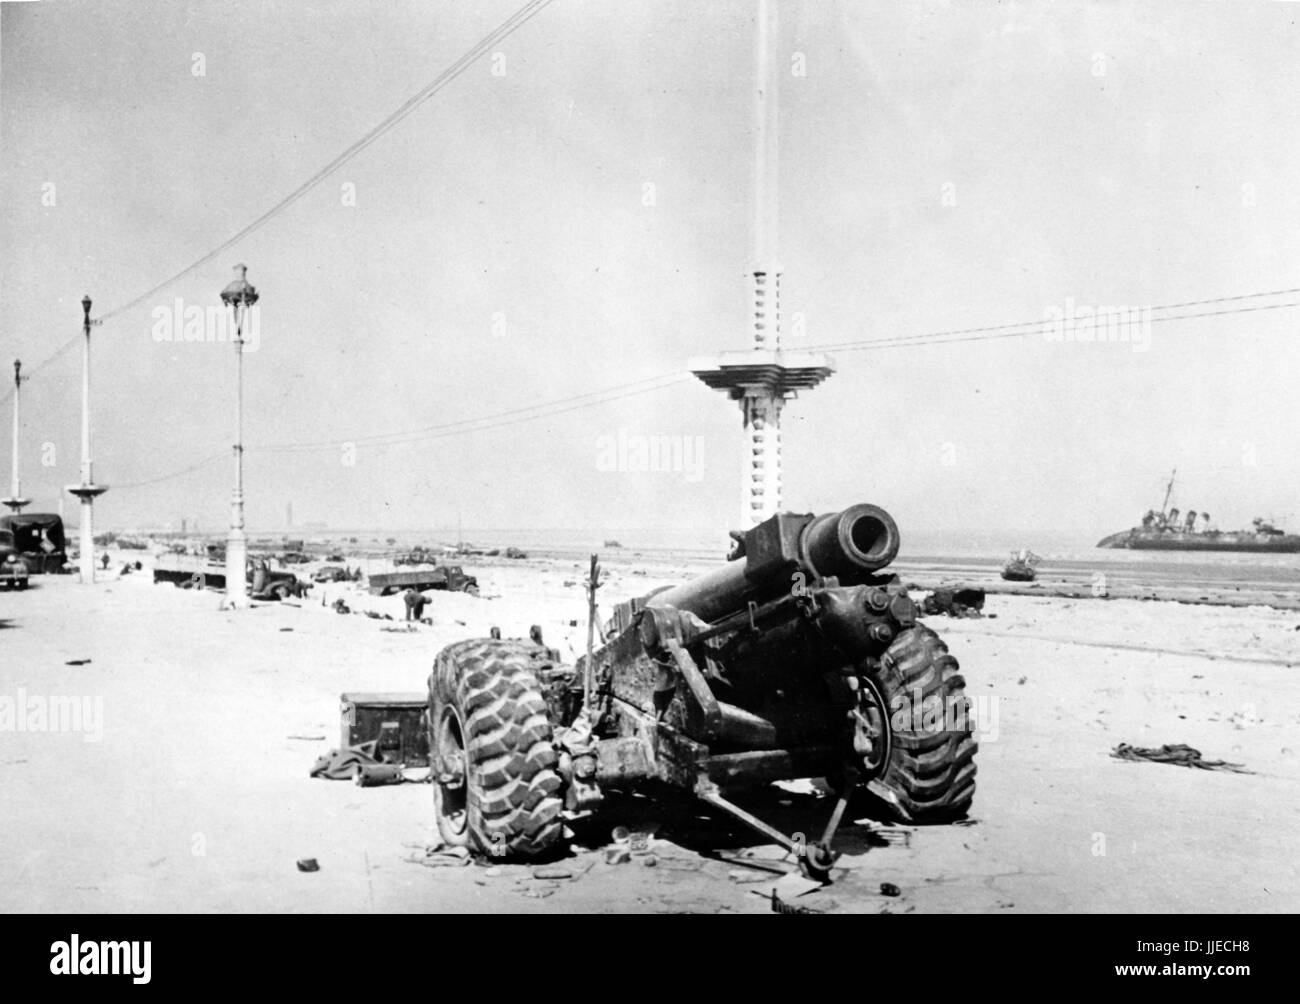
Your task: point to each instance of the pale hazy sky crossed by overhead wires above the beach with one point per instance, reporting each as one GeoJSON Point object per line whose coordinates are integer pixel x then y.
{"type": "Point", "coordinates": [580, 219]}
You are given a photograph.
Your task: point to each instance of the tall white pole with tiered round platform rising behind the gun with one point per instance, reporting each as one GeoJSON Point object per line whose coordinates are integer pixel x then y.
{"type": "Point", "coordinates": [765, 378]}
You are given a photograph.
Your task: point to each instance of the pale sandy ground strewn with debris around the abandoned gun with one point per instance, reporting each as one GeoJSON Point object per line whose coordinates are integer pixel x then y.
{"type": "Point", "coordinates": [189, 790]}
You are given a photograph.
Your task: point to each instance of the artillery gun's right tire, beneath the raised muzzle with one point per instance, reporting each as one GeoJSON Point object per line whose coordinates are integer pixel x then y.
{"type": "Point", "coordinates": [930, 773]}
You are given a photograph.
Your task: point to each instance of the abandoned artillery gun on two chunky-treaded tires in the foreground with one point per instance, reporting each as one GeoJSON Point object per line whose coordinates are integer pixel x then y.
{"type": "Point", "coordinates": [799, 659]}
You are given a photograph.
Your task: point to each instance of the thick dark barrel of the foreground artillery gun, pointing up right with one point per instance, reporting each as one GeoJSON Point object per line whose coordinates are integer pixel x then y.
{"type": "Point", "coordinates": [848, 546]}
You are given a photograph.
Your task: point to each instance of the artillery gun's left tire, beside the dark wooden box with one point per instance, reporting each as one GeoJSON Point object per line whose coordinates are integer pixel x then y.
{"type": "Point", "coordinates": [484, 698]}
